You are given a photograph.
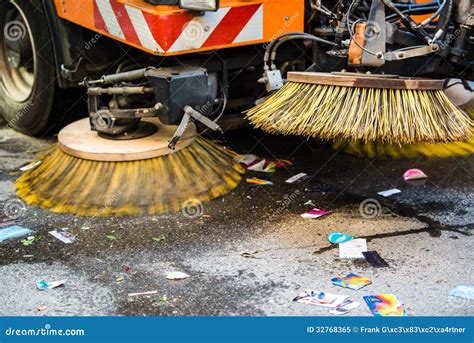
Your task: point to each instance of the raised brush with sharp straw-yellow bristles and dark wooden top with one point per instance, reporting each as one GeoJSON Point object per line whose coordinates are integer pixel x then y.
{"type": "Point", "coordinates": [366, 108]}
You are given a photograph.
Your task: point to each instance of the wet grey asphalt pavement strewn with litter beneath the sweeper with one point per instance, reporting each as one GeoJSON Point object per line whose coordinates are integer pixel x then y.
{"type": "Point", "coordinates": [424, 233]}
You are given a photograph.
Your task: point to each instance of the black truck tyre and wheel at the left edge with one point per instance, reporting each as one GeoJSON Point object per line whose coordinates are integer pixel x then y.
{"type": "Point", "coordinates": [27, 69]}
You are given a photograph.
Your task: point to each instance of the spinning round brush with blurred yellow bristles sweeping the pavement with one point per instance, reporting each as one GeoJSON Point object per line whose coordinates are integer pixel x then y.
{"type": "Point", "coordinates": [198, 171]}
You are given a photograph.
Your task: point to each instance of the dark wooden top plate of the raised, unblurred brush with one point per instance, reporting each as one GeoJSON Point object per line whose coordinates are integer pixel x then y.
{"type": "Point", "coordinates": [365, 81]}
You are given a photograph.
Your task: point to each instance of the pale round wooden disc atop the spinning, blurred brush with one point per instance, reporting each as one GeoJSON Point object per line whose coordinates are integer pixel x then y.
{"type": "Point", "coordinates": [78, 140]}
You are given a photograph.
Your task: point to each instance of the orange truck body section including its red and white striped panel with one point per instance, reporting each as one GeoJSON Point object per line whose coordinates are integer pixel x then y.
{"type": "Point", "coordinates": [168, 30]}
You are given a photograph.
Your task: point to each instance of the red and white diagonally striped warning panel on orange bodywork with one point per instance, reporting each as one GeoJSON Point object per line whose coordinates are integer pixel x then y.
{"type": "Point", "coordinates": [173, 33]}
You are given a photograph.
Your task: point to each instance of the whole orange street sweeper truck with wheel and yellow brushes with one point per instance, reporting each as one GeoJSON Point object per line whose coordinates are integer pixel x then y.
{"type": "Point", "coordinates": [156, 74]}
